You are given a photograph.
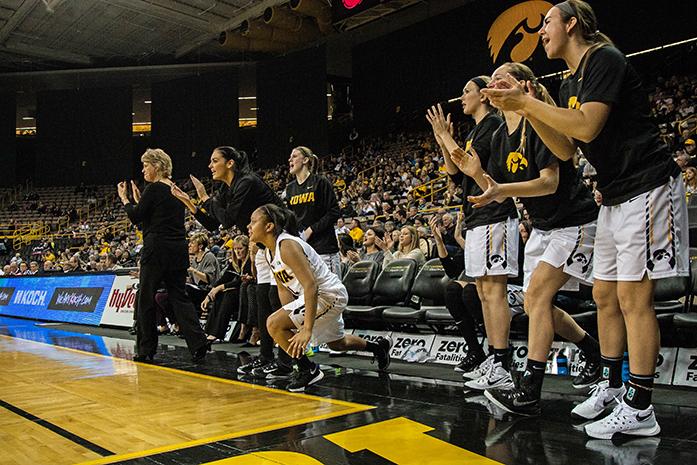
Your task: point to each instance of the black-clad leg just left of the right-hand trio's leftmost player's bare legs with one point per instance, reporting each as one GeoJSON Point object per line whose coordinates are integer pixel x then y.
{"type": "Point", "coordinates": [465, 307]}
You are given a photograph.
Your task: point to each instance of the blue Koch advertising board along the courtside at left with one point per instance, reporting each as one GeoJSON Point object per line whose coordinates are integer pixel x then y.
{"type": "Point", "coordinates": [67, 298]}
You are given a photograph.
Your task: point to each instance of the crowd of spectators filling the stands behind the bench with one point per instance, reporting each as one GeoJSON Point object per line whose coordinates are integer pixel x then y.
{"type": "Point", "coordinates": [388, 189]}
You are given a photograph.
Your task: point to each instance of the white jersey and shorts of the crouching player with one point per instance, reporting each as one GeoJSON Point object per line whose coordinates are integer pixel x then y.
{"type": "Point", "coordinates": [332, 295]}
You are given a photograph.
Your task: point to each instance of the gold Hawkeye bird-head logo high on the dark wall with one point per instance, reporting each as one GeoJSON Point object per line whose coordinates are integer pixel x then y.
{"type": "Point", "coordinates": [521, 22]}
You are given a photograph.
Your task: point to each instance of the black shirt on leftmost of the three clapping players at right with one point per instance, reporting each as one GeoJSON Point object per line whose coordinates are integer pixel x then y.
{"type": "Point", "coordinates": [479, 138]}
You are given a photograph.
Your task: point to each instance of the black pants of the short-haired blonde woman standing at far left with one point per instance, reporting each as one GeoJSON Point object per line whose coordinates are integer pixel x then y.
{"type": "Point", "coordinates": [152, 274]}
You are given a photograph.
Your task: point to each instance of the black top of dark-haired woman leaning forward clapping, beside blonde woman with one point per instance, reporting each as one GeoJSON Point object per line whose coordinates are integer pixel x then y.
{"type": "Point", "coordinates": [234, 205]}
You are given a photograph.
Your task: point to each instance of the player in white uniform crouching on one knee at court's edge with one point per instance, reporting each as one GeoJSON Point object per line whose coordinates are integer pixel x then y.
{"type": "Point", "coordinates": [313, 298]}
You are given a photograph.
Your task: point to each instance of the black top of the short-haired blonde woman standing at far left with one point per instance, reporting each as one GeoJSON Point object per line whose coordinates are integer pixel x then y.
{"type": "Point", "coordinates": [161, 218]}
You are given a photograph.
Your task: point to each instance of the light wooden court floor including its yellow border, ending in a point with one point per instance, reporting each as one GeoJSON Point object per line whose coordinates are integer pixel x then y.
{"type": "Point", "coordinates": [64, 406]}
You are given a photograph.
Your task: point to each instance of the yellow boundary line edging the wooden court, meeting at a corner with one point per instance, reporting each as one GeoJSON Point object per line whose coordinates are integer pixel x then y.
{"type": "Point", "coordinates": [351, 408]}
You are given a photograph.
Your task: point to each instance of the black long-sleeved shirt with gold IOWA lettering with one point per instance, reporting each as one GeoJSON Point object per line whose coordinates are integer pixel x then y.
{"type": "Point", "coordinates": [315, 206]}
